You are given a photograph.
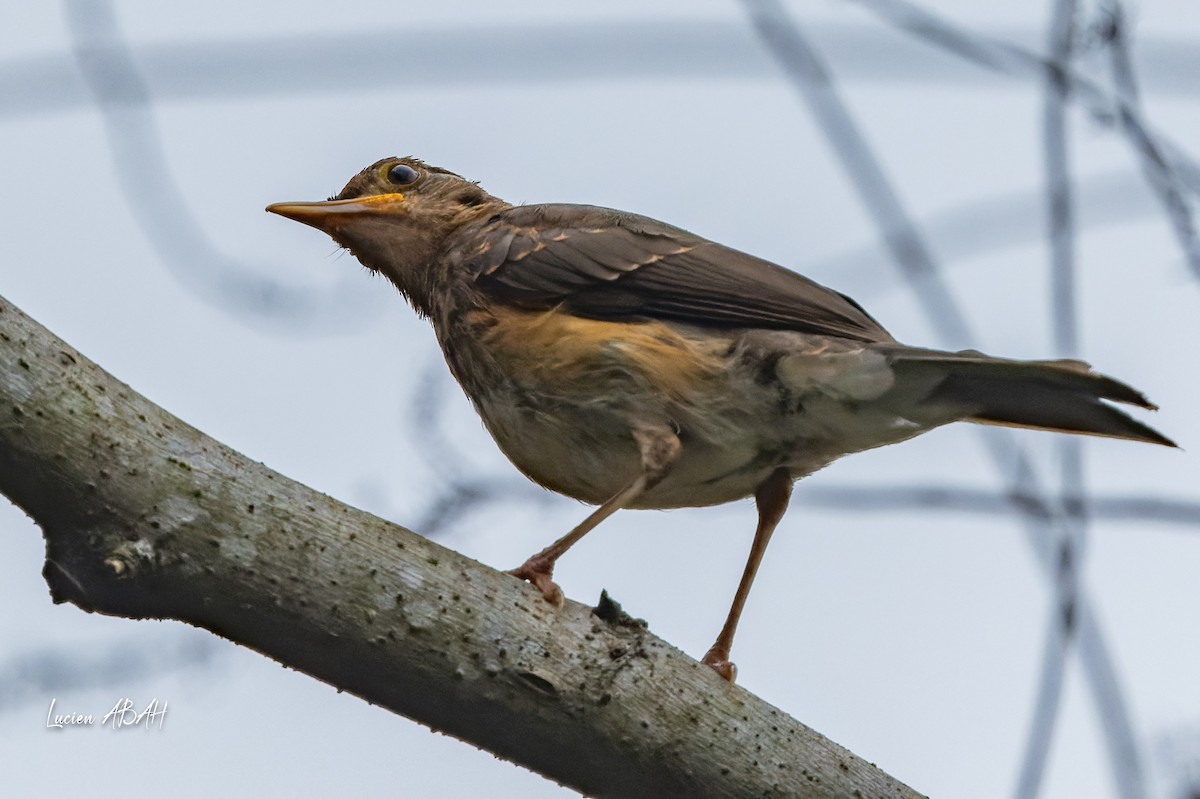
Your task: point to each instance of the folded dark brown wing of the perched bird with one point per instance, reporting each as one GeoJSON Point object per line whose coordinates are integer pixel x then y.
{"type": "Point", "coordinates": [604, 265]}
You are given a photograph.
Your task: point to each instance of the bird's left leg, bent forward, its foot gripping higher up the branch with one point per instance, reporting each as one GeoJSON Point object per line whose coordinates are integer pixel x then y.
{"type": "Point", "coordinates": [659, 448]}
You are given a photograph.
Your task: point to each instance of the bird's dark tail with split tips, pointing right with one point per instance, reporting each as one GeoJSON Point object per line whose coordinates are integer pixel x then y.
{"type": "Point", "coordinates": [1065, 397]}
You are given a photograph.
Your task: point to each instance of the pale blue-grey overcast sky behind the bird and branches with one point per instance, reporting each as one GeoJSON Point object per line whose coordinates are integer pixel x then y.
{"type": "Point", "coordinates": [914, 639]}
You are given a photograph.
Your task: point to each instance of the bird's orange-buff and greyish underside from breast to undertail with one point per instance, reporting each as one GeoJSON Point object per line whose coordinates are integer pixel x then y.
{"type": "Point", "coordinates": [742, 402]}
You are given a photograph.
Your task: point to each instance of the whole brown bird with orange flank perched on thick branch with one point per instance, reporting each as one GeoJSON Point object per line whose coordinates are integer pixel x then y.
{"type": "Point", "coordinates": [628, 363]}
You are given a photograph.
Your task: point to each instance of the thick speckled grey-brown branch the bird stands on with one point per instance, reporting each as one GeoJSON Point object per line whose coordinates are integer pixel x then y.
{"type": "Point", "coordinates": [147, 518]}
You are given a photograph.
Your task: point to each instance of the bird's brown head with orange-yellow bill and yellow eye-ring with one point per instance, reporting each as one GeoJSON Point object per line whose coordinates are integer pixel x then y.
{"type": "Point", "coordinates": [395, 217]}
